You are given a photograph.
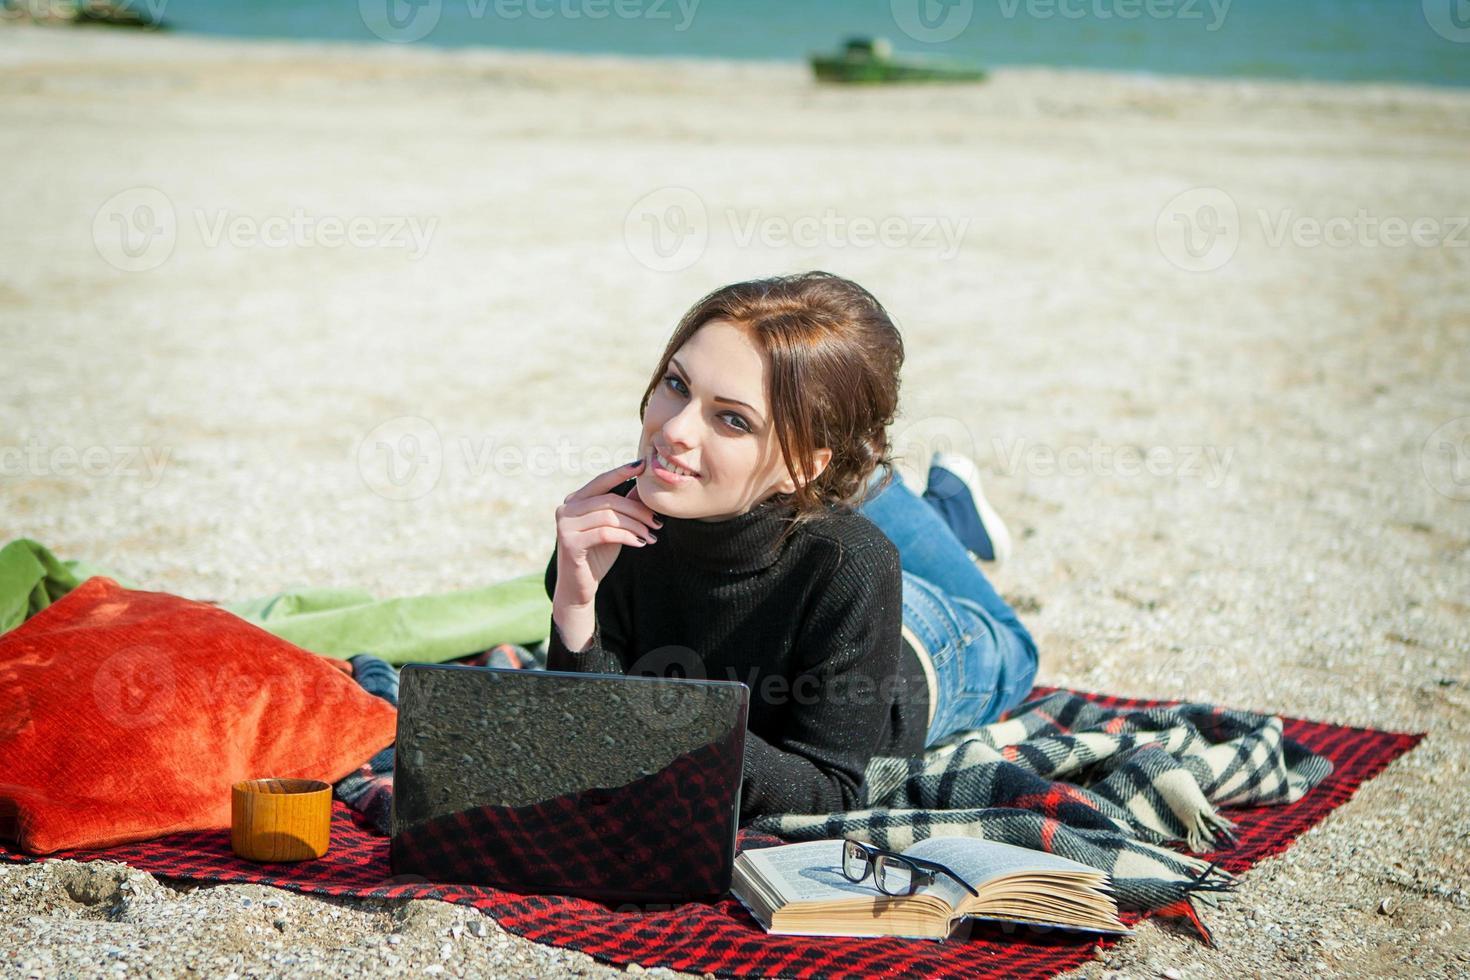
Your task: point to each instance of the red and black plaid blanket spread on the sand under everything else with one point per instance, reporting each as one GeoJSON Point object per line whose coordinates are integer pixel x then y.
{"type": "Point", "coordinates": [723, 938]}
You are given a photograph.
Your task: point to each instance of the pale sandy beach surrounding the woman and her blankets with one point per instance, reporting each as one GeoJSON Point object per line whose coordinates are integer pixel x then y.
{"type": "Point", "coordinates": [283, 315]}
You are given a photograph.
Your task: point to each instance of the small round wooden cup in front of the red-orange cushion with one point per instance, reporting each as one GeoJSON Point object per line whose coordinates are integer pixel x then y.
{"type": "Point", "coordinates": [282, 819]}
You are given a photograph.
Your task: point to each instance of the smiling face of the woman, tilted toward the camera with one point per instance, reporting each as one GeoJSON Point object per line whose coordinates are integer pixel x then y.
{"type": "Point", "coordinates": [711, 415]}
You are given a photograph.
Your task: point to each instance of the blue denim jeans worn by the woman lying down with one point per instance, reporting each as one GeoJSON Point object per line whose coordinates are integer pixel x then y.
{"type": "Point", "coordinates": [984, 660]}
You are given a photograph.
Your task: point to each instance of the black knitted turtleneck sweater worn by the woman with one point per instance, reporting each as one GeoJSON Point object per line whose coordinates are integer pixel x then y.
{"type": "Point", "coordinates": [812, 628]}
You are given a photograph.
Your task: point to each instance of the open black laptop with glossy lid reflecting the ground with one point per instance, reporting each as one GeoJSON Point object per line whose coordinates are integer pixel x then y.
{"type": "Point", "coordinates": [606, 787]}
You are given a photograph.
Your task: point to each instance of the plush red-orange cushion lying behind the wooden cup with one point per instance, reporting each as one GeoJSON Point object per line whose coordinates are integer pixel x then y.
{"type": "Point", "coordinates": [129, 715]}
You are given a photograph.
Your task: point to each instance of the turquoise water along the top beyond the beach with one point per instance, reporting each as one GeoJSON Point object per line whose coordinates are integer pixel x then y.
{"type": "Point", "coordinates": [1343, 40]}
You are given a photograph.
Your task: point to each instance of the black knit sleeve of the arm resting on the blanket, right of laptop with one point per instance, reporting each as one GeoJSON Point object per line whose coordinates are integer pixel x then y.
{"type": "Point", "coordinates": [849, 662]}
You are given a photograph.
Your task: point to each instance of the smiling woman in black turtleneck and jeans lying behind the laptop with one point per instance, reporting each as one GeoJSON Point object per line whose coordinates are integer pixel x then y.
{"type": "Point", "coordinates": [764, 536]}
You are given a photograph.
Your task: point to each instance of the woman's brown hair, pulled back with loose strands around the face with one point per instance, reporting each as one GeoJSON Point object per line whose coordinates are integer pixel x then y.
{"type": "Point", "coordinates": [836, 358]}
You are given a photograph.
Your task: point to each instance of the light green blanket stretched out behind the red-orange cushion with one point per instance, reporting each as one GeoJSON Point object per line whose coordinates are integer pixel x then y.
{"type": "Point", "coordinates": [334, 622]}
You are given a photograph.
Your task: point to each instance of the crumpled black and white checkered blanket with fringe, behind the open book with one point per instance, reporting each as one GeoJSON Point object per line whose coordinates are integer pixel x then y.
{"type": "Point", "coordinates": [1105, 787]}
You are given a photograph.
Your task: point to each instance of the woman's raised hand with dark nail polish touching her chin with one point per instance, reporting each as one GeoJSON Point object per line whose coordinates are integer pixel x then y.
{"type": "Point", "coordinates": [592, 528]}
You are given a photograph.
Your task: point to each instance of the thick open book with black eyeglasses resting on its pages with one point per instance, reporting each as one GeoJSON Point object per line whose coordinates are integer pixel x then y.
{"type": "Point", "coordinates": [799, 890]}
